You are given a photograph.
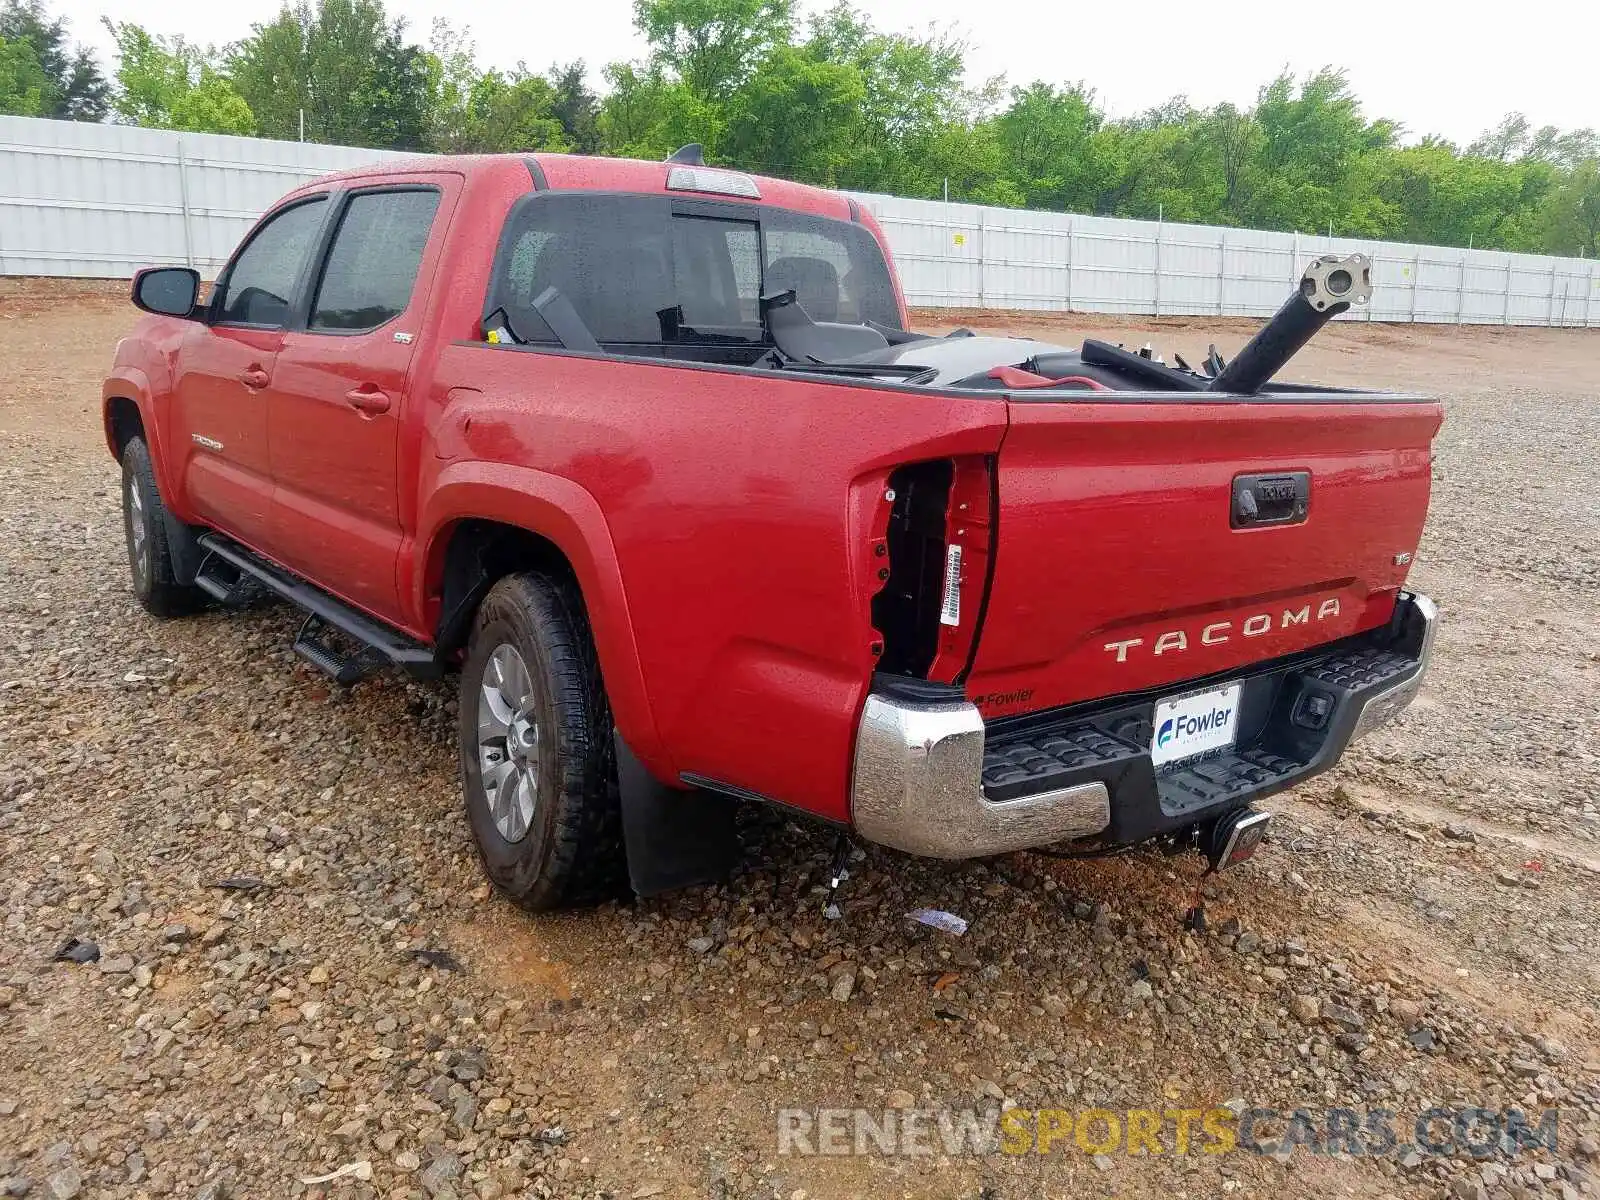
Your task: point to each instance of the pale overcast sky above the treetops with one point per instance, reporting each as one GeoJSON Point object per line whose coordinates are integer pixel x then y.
{"type": "Point", "coordinates": [1441, 68]}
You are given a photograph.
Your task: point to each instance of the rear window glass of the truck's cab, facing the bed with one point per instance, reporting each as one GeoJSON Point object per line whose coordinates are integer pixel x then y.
{"type": "Point", "coordinates": [644, 270]}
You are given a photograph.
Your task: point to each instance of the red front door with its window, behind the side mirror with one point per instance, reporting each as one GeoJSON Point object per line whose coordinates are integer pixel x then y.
{"type": "Point", "coordinates": [225, 372]}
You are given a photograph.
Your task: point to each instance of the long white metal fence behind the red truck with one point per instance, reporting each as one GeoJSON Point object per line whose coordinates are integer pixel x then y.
{"type": "Point", "coordinates": [100, 201]}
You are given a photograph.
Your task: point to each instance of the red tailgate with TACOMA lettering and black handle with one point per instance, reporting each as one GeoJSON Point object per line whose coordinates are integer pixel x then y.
{"type": "Point", "coordinates": [1122, 564]}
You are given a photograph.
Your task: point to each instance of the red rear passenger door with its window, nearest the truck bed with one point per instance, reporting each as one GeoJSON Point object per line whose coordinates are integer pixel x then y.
{"type": "Point", "coordinates": [343, 391]}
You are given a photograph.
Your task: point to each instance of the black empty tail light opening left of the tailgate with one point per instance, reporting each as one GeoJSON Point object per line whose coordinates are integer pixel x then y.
{"type": "Point", "coordinates": [906, 610]}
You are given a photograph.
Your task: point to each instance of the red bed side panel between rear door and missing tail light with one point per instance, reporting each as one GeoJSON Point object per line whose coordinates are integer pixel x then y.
{"type": "Point", "coordinates": [740, 508]}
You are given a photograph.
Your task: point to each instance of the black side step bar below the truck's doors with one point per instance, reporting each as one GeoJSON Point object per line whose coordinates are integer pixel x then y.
{"type": "Point", "coordinates": [383, 646]}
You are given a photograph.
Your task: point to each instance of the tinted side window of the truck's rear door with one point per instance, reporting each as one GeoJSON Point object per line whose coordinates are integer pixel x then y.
{"type": "Point", "coordinates": [374, 262]}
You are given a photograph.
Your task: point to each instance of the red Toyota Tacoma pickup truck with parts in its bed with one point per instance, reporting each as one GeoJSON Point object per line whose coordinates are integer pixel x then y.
{"type": "Point", "coordinates": [647, 454]}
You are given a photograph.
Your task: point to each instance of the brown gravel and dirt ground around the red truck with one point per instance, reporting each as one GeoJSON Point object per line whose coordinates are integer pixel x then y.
{"type": "Point", "coordinates": [1422, 930]}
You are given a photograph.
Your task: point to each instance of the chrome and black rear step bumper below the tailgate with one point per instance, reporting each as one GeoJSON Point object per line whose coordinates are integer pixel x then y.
{"type": "Point", "coordinates": [934, 780]}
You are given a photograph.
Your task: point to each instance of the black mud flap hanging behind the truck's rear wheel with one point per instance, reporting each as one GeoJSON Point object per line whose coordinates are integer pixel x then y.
{"type": "Point", "coordinates": [674, 838]}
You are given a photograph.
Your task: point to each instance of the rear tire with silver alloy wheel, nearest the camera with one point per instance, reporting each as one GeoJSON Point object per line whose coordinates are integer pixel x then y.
{"type": "Point", "coordinates": [538, 764]}
